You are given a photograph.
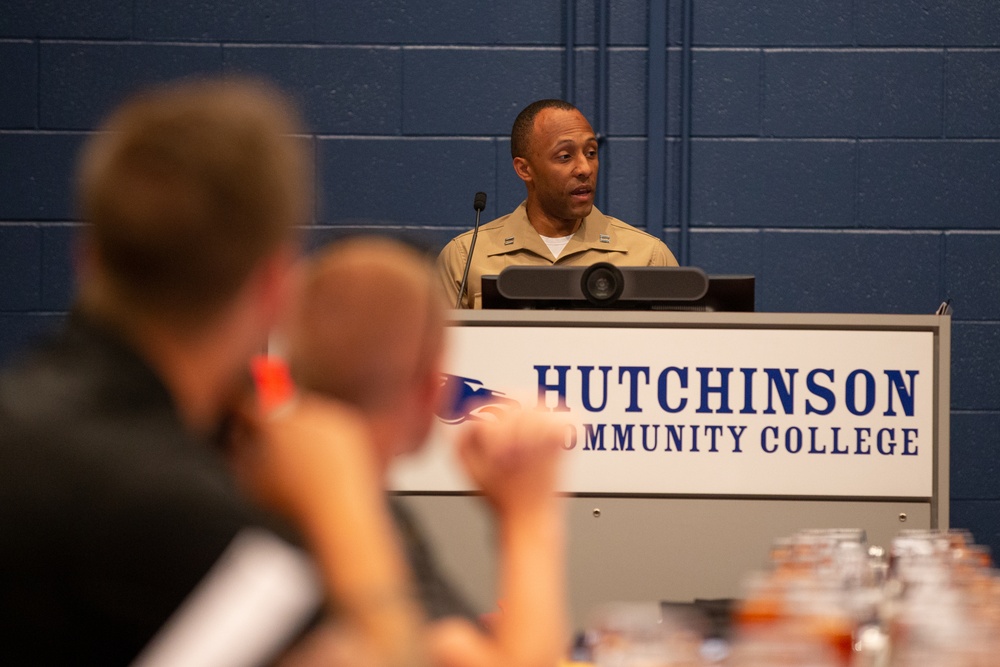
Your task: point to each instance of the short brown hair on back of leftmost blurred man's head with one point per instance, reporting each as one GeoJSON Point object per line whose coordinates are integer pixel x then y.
{"type": "Point", "coordinates": [186, 192]}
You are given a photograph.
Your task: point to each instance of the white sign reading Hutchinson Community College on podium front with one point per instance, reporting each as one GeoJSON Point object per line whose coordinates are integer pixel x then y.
{"type": "Point", "coordinates": [714, 411]}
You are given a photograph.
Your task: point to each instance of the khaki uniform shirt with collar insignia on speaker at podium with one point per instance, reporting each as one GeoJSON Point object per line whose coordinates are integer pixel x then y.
{"type": "Point", "coordinates": [512, 241]}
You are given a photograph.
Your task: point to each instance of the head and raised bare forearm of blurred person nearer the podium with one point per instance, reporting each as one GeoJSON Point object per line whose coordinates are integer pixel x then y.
{"type": "Point", "coordinates": [369, 330]}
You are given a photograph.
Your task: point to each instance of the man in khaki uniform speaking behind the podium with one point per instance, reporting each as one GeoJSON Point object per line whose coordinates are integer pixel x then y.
{"type": "Point", "coordinates": [555, 153]}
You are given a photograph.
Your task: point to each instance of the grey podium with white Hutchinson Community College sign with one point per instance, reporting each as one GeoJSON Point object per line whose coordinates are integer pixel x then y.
{"type": "Point", "coordinates": [731, 420]}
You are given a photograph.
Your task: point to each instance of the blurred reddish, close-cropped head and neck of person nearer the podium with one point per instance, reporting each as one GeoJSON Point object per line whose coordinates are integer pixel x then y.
{"type": "Point", "coordinates": [368, 329]}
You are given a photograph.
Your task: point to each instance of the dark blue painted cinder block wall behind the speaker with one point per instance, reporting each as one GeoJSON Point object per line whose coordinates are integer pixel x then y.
{"type": "Point", "coordinates": [846, 152]}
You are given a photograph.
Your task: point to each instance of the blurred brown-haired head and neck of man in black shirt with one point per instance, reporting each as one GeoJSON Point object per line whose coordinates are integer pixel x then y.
{"type": "Point", "coordinates": [191, 194]}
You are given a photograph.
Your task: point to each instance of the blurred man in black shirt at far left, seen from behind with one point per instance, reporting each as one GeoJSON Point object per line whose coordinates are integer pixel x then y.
{"type": "Point", "coordinates": [124, 529]}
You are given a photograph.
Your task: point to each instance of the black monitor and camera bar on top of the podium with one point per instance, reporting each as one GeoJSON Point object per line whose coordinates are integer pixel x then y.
{"type": "Point", "coordinates": [603, 286]}
